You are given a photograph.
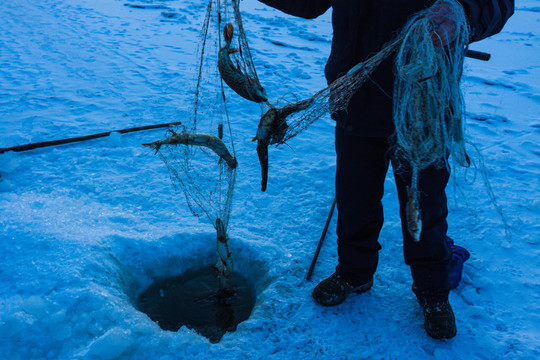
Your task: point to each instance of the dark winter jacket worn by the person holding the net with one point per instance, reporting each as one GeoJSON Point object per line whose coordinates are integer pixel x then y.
{"type": "Point", "coordinates": [361, 28]}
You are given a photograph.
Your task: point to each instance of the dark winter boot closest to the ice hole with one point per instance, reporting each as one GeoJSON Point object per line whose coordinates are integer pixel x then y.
{"type": "Point", "coordinates": [335, 289]}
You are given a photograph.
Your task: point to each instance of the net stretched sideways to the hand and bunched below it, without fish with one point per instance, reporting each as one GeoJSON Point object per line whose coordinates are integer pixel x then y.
{"type": "Point", "coordinates": [416, 53]}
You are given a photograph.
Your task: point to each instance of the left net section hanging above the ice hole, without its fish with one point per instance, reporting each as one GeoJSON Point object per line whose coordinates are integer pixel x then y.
{"type": "Point", "coordinates": [207, 181]}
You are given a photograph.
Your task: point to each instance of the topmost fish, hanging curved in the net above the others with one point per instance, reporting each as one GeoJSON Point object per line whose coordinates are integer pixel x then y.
{"type": "Point", "coordinates": [243, 84]}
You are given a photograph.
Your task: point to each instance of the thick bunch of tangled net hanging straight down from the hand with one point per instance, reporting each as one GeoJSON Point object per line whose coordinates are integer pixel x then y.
{"type": "Point", "coordinates": [428, 104]}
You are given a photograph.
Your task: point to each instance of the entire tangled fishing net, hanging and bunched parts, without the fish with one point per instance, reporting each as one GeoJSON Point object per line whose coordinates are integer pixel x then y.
{"type": "Point", "coordinates": [428, 104]}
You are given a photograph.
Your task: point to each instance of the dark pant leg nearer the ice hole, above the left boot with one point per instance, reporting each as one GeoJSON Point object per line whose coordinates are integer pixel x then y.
{"type": "Point", "coordinates": [361, 169]}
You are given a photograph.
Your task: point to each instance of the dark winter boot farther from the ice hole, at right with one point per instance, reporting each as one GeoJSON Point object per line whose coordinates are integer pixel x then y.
{"type": "Point", "coordinates": [439, 320]}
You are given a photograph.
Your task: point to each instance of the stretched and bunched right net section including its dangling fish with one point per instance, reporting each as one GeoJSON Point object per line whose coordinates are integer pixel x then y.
{"type": "Point", "coordinates": [428, 105]}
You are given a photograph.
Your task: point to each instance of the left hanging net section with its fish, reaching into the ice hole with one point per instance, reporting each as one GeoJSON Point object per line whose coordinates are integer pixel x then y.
{"type": "Point", "coordinates": [200, 154]}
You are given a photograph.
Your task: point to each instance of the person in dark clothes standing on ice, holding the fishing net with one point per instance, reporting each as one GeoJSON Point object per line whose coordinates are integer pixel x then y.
{"type": "Point", "coordinates": [360, 28]}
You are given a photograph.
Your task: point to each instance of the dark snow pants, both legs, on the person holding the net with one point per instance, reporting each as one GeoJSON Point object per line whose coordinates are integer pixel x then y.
{"type": "Point", "coordinates": [362, 164]}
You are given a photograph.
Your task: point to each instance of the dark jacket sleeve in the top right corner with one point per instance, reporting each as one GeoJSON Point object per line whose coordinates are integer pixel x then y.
{"type": "Point", "coordinates": [487, 17]}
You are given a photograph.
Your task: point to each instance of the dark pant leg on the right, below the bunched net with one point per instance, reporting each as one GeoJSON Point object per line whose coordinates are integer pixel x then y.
{"type": "Point", "coordinates": [429, 258]}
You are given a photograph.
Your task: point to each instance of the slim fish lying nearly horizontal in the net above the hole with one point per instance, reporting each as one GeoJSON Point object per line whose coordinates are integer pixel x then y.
{"type": "Point", "coordinates": [199, 139]}
